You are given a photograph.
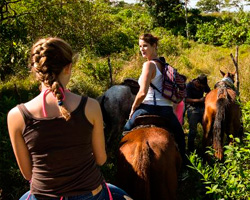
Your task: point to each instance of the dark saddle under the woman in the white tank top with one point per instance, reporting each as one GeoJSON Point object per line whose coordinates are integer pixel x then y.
{"type": "Point", "coordinates": [151, 120]}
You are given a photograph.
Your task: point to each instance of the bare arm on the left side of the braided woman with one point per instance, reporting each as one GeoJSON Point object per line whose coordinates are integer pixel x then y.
{"type": "Point", "coordinates": [16, 125]}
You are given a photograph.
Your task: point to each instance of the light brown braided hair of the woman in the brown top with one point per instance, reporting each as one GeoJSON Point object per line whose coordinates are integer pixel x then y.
{"type": "Point", "coordinates": [48, 58]}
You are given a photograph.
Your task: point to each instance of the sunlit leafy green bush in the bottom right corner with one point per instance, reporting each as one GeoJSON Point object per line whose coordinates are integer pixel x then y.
{"type": "Point", "coordinates": [228, 179]}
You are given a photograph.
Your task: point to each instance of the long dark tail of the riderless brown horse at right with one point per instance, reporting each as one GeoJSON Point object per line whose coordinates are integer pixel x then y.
{"type": "Point", "coordinates": [218, 129]}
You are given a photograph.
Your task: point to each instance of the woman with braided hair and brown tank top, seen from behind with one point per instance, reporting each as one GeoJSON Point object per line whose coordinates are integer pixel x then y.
{"type": "Point", "coordinates": [57, 137]}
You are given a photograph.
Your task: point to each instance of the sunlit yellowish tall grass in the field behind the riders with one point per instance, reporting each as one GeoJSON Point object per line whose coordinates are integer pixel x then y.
{"type": "Point", "coordinates": [197, 59]}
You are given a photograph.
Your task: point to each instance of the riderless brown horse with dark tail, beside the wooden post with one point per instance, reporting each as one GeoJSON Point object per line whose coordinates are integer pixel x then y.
{"type": "Point", "coordinates": [222, 114]}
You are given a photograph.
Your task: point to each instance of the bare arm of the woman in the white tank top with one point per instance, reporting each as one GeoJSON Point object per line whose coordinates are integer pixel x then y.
{"type": "Point", "coordinates": [148, 73]}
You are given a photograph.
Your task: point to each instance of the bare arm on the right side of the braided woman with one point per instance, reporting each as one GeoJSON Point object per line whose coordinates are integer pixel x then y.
{"type": "Point", "coordinates": [94, 115]}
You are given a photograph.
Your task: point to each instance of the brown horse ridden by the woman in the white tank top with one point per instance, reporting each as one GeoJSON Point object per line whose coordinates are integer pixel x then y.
{"type": "Point", "coordinates": [148, 164]}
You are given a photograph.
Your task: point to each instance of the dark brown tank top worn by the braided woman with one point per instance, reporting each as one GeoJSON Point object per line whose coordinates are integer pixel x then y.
{"type": "Point", "coordinates": [61, 153]}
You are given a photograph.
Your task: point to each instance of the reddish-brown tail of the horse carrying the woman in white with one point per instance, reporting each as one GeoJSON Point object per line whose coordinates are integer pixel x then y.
{"type": "Point", "coordinates": [142, 164]}
